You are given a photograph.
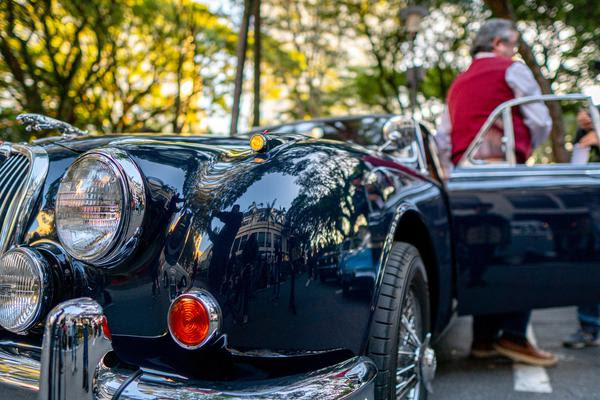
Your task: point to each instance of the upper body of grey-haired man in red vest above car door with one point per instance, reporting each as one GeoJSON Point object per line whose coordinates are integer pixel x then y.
{"type": "Point", "coordinates": [492, 78]}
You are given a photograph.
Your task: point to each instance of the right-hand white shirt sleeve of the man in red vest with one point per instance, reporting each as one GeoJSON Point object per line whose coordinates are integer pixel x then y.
{"type": "Point", "coordinates": [536, 115]}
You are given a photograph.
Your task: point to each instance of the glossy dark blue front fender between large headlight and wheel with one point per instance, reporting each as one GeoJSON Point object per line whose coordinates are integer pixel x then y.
{"type": "Point", "coordinates": [294, 207]}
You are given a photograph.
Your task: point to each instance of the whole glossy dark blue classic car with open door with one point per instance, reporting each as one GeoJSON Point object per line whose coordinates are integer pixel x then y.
{"type": "Point", "coordinates": [147, 267]}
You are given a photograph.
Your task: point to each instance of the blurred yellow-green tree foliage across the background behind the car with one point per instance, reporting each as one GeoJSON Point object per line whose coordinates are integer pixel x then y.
{"type": "Point", "coordinates": [168, 65]}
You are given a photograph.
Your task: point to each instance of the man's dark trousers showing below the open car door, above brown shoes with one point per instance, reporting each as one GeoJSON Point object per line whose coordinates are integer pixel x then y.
{"type": "Point", "coordinates": [487, 328]}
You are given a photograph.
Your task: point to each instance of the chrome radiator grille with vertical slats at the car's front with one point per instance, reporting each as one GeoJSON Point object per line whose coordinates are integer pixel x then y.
{"type": "Point", "coordinates": [23, 170]}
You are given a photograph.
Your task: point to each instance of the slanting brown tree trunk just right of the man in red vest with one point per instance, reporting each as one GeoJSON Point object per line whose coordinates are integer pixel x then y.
{"type": "Point", "coordinates": [503, 9]}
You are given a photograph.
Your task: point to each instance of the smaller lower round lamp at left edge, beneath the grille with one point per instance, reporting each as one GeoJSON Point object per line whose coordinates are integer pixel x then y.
{"type": "Point", "coordinates": [24, 287]}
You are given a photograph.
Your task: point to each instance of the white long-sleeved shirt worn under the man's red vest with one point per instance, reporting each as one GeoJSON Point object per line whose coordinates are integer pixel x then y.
{"type": "Point", "coordinates": [535, 115]}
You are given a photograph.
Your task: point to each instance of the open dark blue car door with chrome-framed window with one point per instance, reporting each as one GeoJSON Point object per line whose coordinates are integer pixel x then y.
{"type": "Point", "coordinates": [526, 236]}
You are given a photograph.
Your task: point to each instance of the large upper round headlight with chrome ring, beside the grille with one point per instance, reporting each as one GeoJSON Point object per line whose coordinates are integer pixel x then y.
{"type": "Point", "coordinates": [130, 208]}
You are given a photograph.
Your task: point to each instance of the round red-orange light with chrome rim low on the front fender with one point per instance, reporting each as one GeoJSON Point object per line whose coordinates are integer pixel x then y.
{"type": "Point", "coordinates": [194, 319]}
